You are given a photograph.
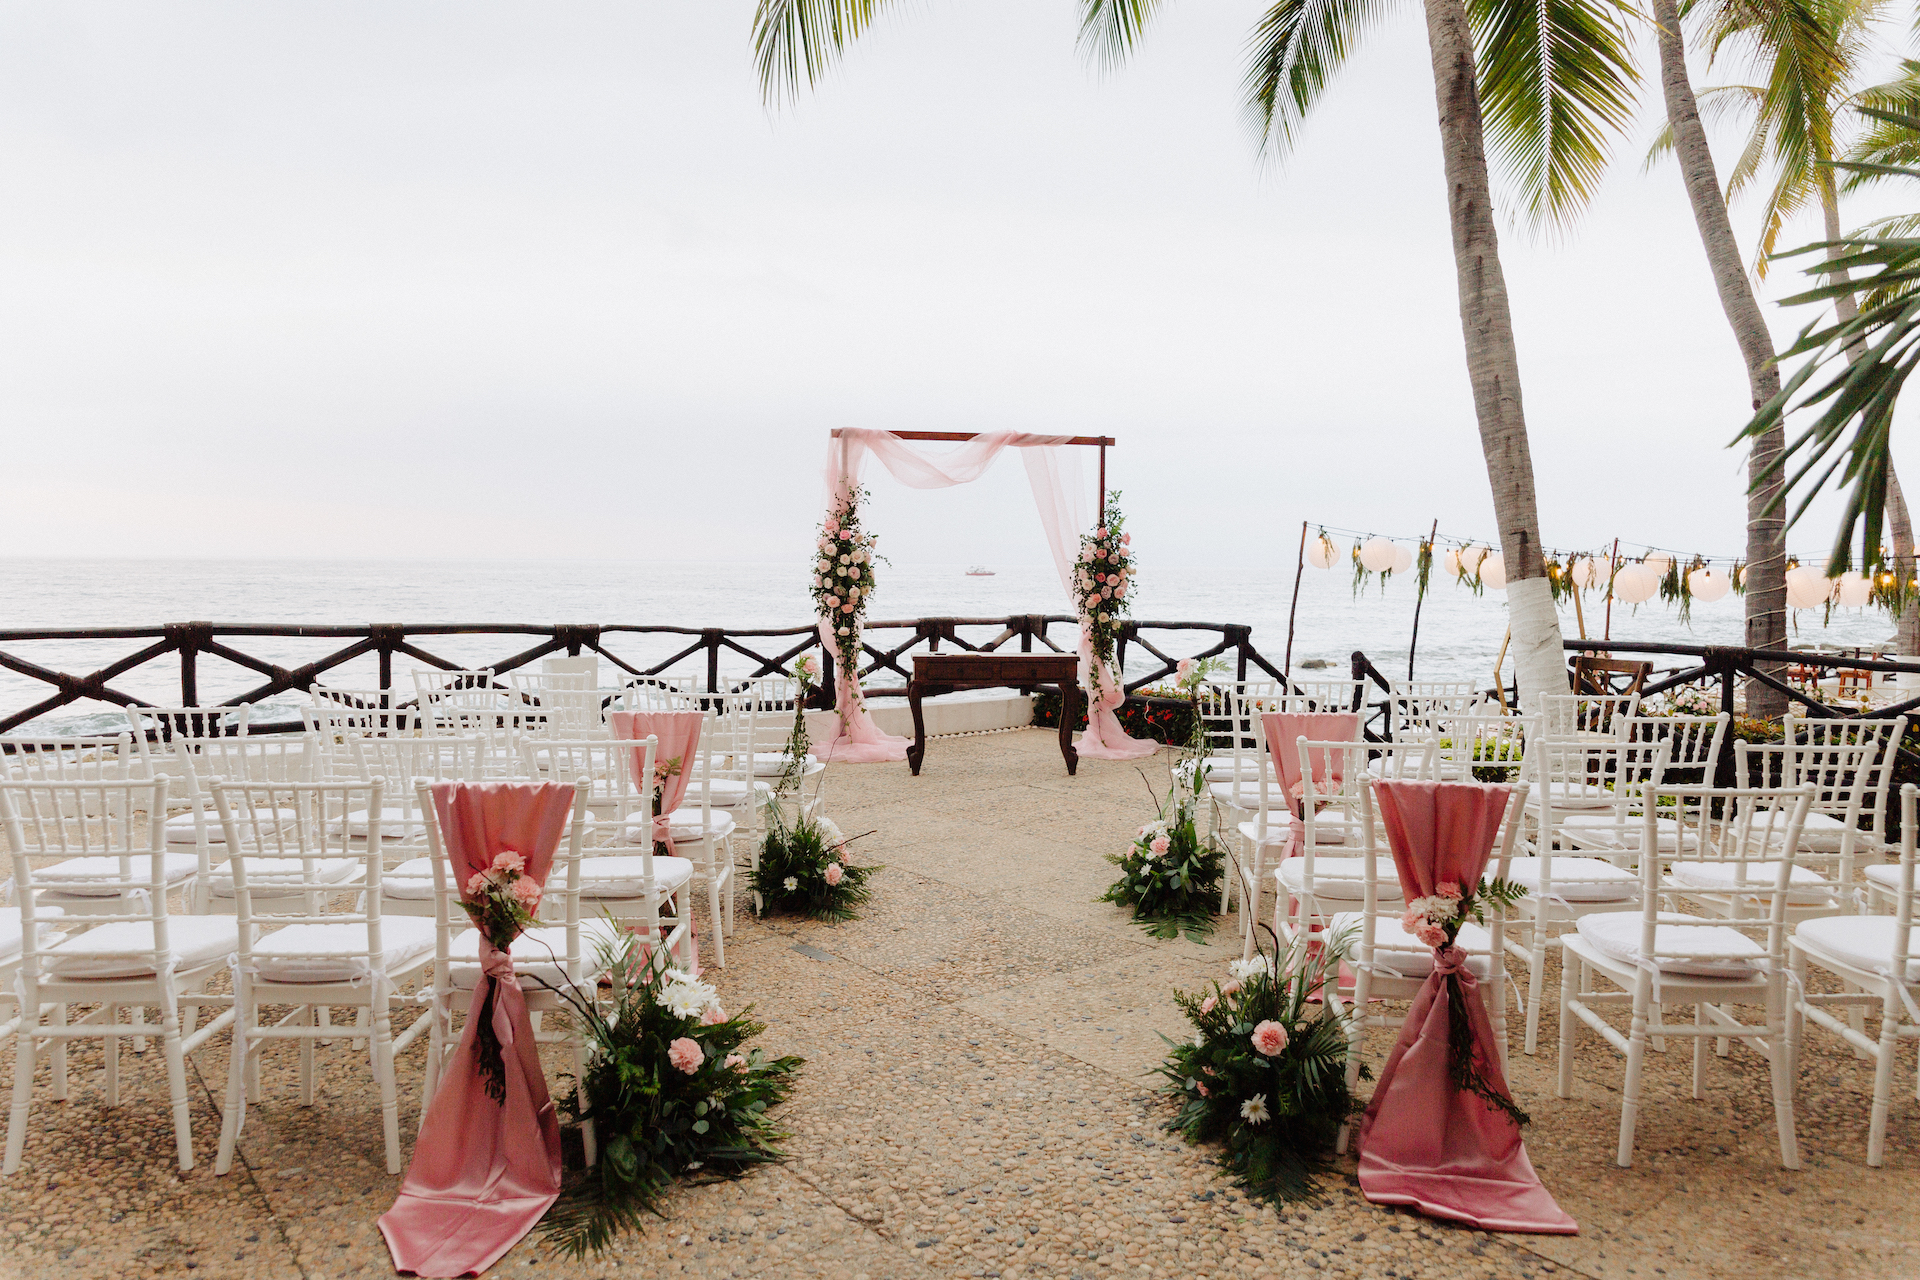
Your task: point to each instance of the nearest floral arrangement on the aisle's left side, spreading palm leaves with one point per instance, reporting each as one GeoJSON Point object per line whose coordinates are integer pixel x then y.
{"type": "Point", "coordinates": [673, 1091]}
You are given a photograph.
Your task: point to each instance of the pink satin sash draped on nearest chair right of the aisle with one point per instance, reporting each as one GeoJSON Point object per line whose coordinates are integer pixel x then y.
{"type": "Point", "coordinates": [1426, 1143]}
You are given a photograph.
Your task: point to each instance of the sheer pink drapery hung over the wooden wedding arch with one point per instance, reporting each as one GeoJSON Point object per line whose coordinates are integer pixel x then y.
{"type": "Point", "coordinates": [1053, 473]}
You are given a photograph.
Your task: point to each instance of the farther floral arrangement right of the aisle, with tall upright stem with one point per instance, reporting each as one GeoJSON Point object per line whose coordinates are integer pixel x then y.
{"type": "Point", "coordinates": [1170, 874]}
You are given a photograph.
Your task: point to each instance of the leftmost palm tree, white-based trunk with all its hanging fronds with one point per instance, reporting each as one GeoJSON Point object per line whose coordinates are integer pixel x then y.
{"type": "Point", "coordinates": [1554, 80]}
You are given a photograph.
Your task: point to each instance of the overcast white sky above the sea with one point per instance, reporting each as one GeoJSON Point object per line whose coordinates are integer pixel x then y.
{"type": "Point", "coordinates": [548, 281]}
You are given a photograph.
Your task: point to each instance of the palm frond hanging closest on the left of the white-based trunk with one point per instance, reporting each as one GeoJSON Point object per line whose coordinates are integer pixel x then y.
{"type": "Point", "coordinates": [1293, 57]}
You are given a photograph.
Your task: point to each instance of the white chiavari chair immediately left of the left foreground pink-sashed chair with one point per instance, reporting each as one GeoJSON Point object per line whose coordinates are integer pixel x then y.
{"type": "Point", "coordinates": [299, 951]}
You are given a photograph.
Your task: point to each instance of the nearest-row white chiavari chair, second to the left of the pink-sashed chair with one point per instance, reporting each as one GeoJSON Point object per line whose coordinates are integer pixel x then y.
{"type": "Point", "coordinates": [145, 959]}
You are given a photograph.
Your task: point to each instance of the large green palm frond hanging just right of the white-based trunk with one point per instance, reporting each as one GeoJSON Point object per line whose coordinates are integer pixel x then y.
{"type": "Point", "coordinates": [1556, 85]}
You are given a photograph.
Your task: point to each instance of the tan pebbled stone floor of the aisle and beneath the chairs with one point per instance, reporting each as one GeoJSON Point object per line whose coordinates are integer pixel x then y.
{"type": "Point", "coordinates": [978, 1104]}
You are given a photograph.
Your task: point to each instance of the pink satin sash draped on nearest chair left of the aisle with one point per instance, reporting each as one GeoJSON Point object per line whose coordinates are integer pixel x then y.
{"type": "Point", "coordinates": [483, 1172]}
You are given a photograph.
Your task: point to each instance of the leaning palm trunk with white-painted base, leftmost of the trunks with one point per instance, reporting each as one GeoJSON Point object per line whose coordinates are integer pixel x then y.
{"type": "Point", "coordinates": [1493, 360]}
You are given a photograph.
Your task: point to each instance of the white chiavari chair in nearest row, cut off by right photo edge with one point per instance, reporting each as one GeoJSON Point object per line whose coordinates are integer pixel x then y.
{"type": "Point", "coordinates": [1879, 962]}
